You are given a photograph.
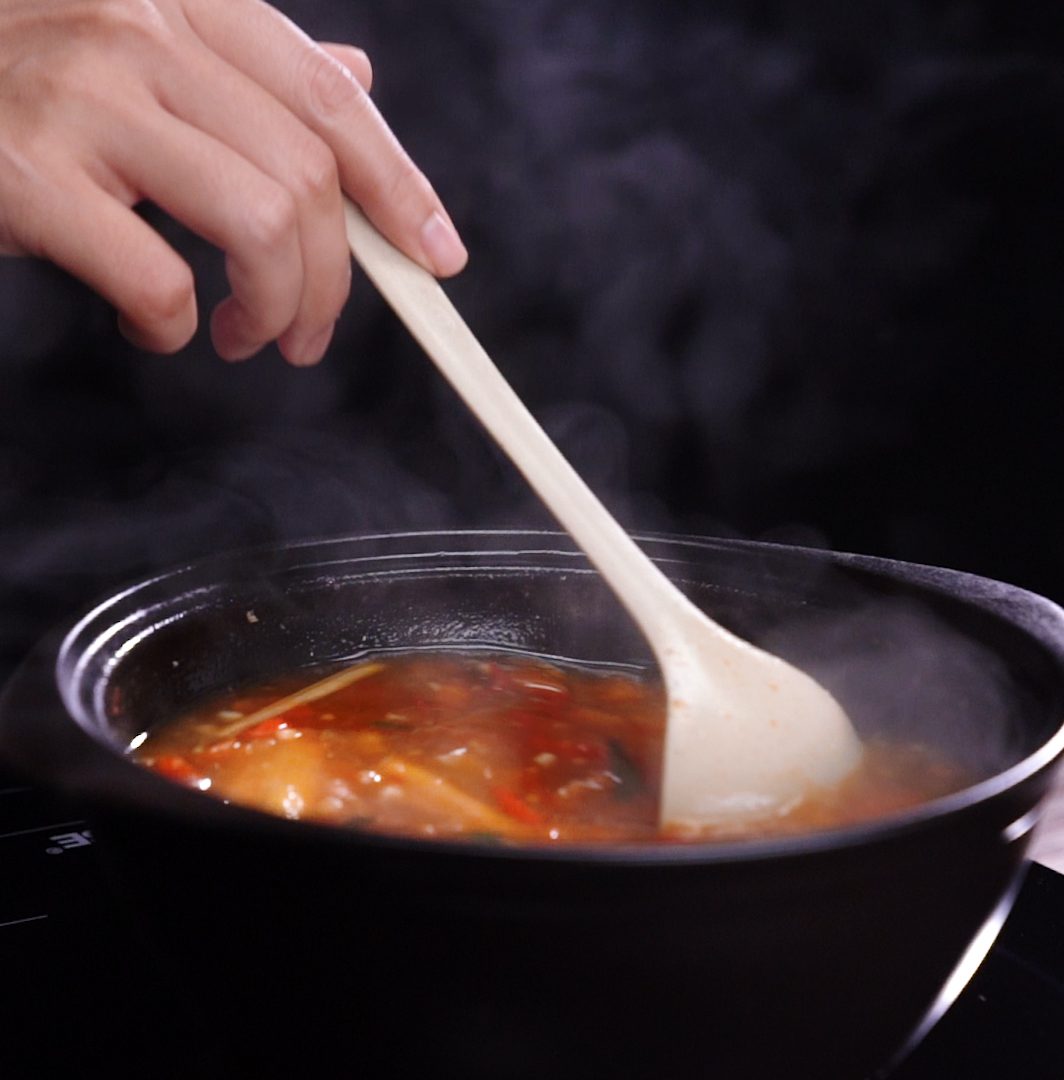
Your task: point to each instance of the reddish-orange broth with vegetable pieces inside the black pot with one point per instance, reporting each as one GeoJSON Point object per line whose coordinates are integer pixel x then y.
{"type": "Point", "coordinates": [492, 748]}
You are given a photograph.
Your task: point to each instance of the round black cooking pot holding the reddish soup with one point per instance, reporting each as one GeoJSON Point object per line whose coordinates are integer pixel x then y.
{"type": "Point", "coordinates": [823, 956]}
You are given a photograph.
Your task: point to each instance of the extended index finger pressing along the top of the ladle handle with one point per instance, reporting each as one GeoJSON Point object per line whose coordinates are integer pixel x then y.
{"type": "Point", "coordinates": [374, 168]}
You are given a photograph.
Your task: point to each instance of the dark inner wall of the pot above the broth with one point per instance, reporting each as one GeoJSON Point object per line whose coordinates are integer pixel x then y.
{"type": "Point", "coordinates": [907, 661]}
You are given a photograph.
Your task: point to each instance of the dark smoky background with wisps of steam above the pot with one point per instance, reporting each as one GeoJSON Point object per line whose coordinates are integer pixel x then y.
{"type": "Point", "coordinates": [783, 272]}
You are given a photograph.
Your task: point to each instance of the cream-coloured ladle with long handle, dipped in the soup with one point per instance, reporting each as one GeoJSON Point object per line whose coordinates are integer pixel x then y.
{"type": "Point", "coordinates": [747, 734]}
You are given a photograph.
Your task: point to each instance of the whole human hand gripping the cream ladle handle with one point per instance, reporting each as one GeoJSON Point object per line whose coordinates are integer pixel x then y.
{"type": "Point", "coordinates": [233, 121]}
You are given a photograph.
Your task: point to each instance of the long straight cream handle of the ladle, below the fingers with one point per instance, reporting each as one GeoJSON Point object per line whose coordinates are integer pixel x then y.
{"type": "Point", "coordinates": [425, 308]}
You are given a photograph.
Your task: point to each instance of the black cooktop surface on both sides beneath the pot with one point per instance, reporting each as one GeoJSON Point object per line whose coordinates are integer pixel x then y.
{"type": "Point", "coordinates": [80, 993]}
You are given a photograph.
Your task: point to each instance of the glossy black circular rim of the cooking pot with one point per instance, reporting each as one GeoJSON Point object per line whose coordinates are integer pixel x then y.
{"type": "Point", "coordinates": [1039, 617]}
